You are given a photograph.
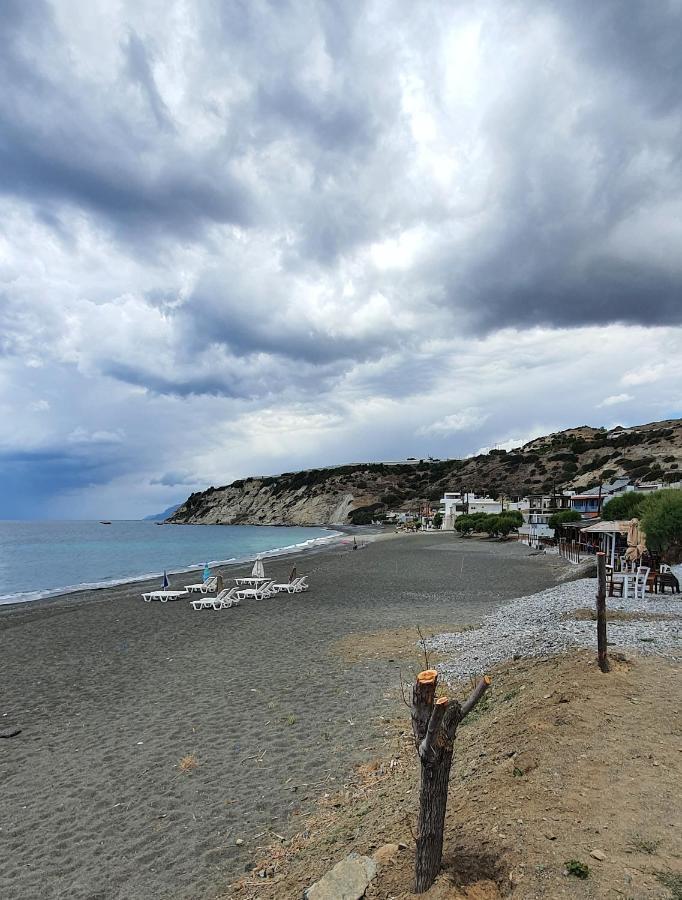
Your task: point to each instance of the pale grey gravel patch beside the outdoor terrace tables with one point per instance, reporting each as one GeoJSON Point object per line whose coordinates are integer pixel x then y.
{"type": "Point", "coordinates": [541, 625]}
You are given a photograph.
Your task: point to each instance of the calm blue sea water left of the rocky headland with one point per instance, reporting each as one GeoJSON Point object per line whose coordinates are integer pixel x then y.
{"type": "Point", "coordinates": [42, 558]}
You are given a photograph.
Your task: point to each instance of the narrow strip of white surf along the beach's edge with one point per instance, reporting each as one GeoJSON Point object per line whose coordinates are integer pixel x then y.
{"type": "Point", "coordinates": [336, 536]}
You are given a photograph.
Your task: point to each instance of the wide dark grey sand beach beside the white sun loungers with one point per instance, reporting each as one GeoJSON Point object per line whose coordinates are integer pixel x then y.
{"type": "Point", "coordinates": [111, 693]}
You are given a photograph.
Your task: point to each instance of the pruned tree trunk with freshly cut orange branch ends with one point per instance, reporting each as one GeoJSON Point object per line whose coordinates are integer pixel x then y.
{"type": "Point", "coordinates": [434, 723]}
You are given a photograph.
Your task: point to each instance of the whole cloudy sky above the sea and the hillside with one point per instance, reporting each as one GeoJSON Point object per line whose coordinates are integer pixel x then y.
{"type": "Point", "coordinates": [248, 237]}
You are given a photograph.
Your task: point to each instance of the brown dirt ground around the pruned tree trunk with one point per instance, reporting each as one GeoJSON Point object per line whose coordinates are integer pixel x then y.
{"type": "Point", "coordinates": [559, 763]}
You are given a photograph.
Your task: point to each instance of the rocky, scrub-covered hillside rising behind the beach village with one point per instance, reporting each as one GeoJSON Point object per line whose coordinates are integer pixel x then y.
{"type": "Point", "coordinates": [577, 458]}
